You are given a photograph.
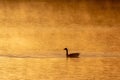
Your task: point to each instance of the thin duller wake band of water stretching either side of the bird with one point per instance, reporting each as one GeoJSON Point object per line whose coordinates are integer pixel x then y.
{"type": "Point", "coordinates": [82, 55]}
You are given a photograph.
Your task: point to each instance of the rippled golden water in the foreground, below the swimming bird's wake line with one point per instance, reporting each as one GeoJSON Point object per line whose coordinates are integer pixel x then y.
{"type": "Point", "coordinates": [59, 68]}
